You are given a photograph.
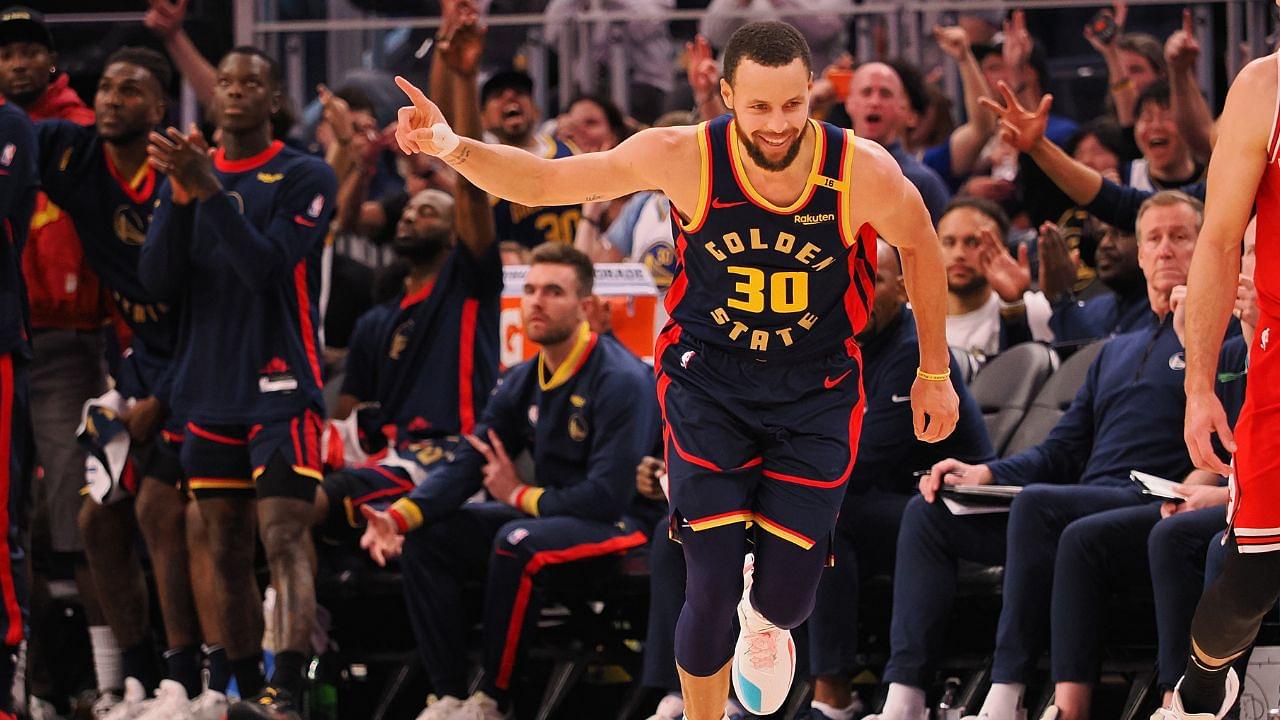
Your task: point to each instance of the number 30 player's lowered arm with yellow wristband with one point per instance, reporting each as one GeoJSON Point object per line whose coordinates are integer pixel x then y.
{"type": "Point", "coordinates": [895, 211]}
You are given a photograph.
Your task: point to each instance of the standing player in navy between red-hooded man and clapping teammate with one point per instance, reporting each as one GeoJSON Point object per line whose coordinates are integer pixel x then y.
{"type": "Point", "coordinates": [112, 224]}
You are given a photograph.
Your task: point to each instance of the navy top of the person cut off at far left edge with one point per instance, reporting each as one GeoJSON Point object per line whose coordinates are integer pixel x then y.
{"type": "Point", "coordinates": [19, 184]}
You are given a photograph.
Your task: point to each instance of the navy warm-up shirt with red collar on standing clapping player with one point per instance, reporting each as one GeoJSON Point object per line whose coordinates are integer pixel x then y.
{"type": "Point", "coordinates": [246, 266]}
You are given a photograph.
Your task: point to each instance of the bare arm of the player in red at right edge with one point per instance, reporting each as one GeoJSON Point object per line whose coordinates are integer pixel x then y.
{"type": "Point", "coordinates": [1235, 174]}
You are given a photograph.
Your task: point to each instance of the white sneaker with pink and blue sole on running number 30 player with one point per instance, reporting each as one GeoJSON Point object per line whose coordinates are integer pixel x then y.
{"type": "Point", "coordinates": [765, 660]}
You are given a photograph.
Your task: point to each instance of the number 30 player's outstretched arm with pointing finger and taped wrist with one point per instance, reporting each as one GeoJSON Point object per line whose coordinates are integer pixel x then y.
{"type": "Point", "coordinates": [647, 161]}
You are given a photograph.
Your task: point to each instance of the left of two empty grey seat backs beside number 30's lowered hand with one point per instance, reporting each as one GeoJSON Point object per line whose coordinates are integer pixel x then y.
{"type": "Point", "coordinates": [1005, 386]}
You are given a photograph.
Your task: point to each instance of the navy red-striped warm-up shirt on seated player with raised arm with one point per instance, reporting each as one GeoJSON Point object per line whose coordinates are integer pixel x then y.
{"type": "Point", "coordinates": [431, 359]}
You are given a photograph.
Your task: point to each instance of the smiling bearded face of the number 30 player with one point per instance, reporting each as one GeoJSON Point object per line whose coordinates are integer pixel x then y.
{"type": "Point", "coordinates": [771, 111]}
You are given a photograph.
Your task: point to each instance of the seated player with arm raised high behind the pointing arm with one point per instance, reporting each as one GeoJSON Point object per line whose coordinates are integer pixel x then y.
{"type": "Point", "coordinates": [422, 366]}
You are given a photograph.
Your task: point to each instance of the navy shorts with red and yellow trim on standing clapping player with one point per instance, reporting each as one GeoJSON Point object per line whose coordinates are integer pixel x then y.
{"type": "Point", "coordinates": [280, 459]}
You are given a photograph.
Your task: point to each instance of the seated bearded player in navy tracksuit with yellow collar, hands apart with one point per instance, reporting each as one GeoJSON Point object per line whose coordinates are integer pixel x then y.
{"type": "Point", "coordinates": [586, 411]}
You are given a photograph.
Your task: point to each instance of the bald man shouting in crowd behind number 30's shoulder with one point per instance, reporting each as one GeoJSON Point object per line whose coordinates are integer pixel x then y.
{"type": "Point", "coordinates": [880, 111]}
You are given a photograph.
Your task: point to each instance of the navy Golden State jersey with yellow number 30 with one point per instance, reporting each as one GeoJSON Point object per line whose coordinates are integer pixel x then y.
{"type": "Point", "coordinates": [766, 281]}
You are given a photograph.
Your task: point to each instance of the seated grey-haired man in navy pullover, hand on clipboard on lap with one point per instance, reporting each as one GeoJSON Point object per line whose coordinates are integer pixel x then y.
{"type": "Point", "coordinates": [1127, 416]}
